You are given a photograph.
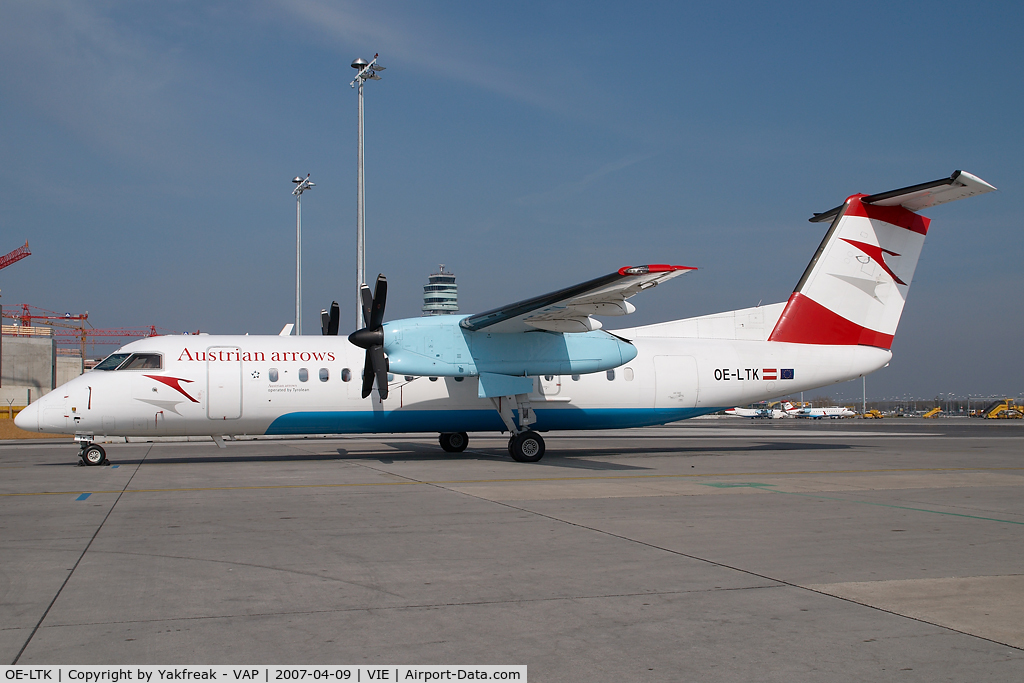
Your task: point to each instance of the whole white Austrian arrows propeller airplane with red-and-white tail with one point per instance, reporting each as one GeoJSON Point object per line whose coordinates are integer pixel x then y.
{"type": "Point", "coordinates": [535, 366]}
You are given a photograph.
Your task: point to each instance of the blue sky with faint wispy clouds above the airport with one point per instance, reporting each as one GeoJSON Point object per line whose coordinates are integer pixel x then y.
{"type": "Point", "coordinates": [148, 150]}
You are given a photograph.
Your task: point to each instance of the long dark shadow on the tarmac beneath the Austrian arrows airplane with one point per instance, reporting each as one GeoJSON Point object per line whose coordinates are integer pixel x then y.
{"type": "Point", "coordinates": [407, 452]}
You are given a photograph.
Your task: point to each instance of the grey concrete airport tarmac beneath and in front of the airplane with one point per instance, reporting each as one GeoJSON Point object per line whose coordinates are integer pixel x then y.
{"type": "Point", "coordinates": [713, 550]}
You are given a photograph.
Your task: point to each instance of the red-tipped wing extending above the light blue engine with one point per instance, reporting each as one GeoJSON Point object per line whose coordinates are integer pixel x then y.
{"type": "Point", "coordinates": [570, 310]}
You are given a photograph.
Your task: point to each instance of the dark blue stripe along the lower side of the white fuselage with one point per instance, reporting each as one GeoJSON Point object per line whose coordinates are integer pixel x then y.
{"type": "Point", "coordinates": [366, 422]}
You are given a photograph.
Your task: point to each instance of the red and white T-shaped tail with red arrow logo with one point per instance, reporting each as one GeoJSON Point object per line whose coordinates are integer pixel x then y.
{"type": "Point", "coordinates": [855, 289]}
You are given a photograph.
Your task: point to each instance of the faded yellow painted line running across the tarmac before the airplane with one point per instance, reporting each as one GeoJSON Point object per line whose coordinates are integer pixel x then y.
{"type": "Point", "coordinates": [410, 483]}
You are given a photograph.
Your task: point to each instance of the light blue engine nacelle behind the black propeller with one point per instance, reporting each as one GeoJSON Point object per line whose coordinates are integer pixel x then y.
{"type": "Point", "coordinates": [438, 347]}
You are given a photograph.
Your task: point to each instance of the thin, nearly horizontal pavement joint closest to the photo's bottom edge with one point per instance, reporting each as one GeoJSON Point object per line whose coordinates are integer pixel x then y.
{"type": "Point", "coordinates": [430, 606]}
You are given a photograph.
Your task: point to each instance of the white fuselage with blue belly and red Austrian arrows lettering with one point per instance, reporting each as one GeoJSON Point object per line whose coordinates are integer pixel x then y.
{"type": "Point", "coordinates": [235, 386]}
